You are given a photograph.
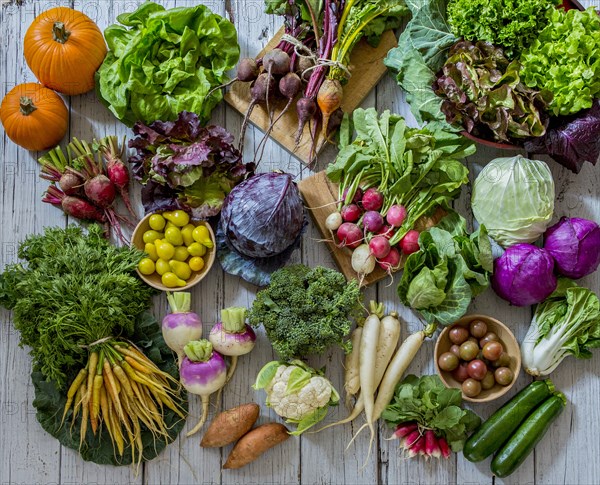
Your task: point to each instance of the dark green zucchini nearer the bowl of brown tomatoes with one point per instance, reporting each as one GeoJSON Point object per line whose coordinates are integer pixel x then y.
{"type": "Point", "coordinates": [496, 431]}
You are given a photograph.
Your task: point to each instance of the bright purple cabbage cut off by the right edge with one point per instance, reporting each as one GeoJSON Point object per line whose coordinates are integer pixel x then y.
{"type": "Point", "coordinates": [574, 244]}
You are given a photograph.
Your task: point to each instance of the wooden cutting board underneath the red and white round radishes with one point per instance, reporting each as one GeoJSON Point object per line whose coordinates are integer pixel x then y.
{"type": "Point", "coordinates": [319, 196]}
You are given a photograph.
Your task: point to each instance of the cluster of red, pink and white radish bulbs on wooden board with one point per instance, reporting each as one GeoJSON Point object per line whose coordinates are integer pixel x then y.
{"type": "Point", "coordinates": [364, 226]}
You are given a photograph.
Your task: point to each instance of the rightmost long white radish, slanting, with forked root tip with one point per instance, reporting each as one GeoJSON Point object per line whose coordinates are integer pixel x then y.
{"type": "Point", "coordinates": [392, 376]}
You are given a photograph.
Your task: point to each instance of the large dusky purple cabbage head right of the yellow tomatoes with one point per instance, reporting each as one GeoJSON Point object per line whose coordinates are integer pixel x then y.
{"type": "Point", "coordinates": [263, 215]}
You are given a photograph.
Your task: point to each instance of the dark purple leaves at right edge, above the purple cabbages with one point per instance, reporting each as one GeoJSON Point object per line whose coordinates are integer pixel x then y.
{"type": "Point", "coordinates": [571, 140]}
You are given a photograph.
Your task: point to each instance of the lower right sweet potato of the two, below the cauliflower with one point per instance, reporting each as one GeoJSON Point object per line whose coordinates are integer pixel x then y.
{"type": "Point", "coordinates": [255, 443]}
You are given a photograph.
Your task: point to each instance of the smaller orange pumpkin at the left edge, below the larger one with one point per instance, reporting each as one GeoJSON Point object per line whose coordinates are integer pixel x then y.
{"type": "Point", "coordinates": [34, 117]}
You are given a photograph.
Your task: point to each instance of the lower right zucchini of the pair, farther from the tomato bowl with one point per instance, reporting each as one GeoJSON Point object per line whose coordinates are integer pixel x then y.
{"type": "Point", "coordinates": [522, 443]}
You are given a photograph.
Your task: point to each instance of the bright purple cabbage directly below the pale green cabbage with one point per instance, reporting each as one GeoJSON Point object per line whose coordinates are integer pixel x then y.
{"type": "Point", "coordinates": [524, 275]}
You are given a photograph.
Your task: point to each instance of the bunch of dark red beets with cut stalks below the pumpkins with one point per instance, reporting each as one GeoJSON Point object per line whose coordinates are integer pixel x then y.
{"type": "Point", "coordinates": [86, 184]}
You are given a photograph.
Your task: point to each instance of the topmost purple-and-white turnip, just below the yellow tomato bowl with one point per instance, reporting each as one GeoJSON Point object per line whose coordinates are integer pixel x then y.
{"type": "Point", "coordinates": [181, 326]}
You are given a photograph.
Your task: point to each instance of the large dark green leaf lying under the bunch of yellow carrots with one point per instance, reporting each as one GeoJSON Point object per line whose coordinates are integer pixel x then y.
{"type": "Point", "coordinates": [49, 402]}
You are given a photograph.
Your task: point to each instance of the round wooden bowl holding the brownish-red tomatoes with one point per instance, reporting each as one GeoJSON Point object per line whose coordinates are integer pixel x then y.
{"type": "Point", "coordinates": [506, 337]}
